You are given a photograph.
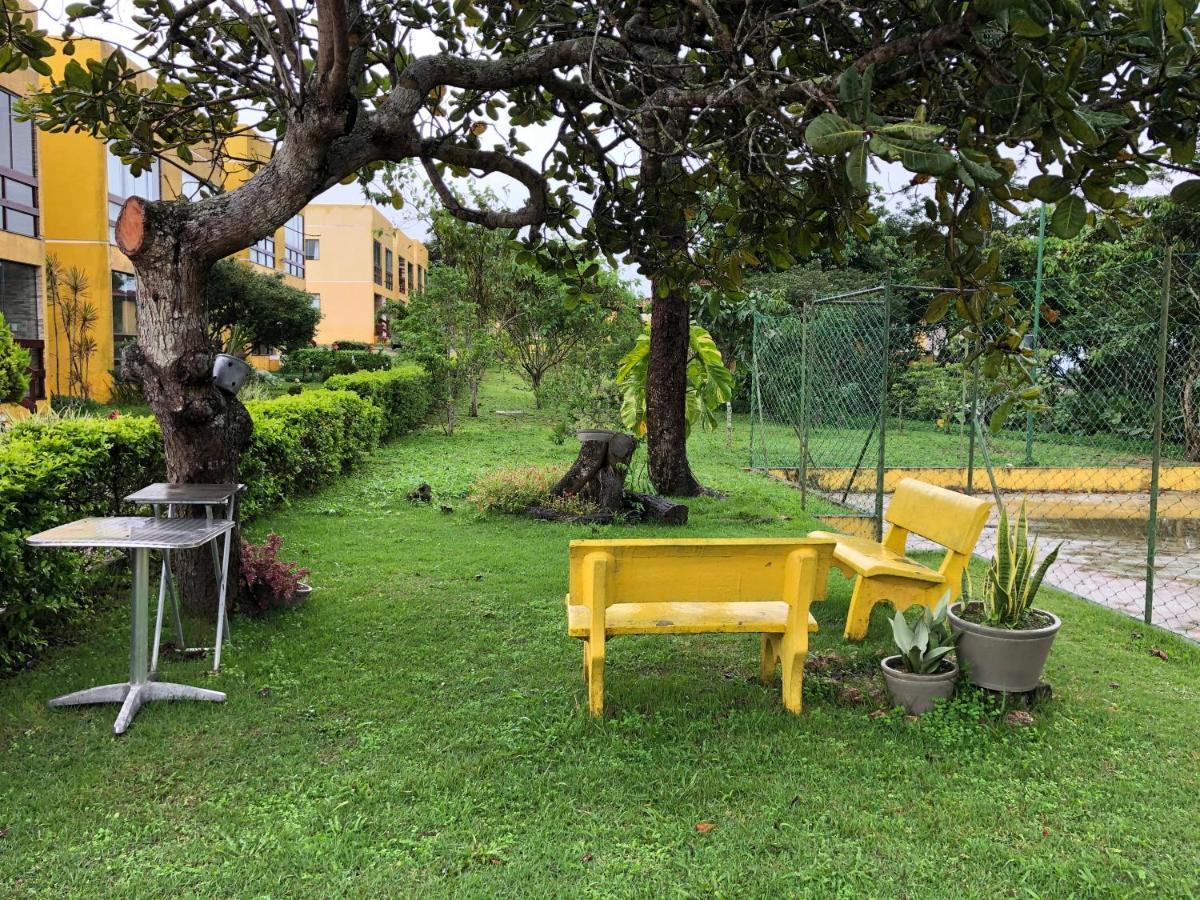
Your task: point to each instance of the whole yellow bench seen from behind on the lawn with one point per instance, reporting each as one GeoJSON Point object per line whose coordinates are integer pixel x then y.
{"type": "Point", "coordinates": [689, 587]}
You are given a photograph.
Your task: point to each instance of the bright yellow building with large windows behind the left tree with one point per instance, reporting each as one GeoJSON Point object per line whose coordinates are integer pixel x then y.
{"type": "Point", "coordinates": [82, 191]}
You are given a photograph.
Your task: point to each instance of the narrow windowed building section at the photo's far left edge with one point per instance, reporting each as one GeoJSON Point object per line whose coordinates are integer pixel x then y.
{"type": "Point", "coordinates": [22, 255]}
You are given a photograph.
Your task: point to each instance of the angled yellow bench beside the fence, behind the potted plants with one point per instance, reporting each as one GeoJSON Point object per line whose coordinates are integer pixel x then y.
{"type": "Point", "coordinates": [884, 572]}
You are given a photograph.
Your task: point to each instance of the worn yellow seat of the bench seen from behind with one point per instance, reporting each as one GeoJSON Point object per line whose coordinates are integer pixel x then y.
{"type": "Point", "coordinates": [685, 619]}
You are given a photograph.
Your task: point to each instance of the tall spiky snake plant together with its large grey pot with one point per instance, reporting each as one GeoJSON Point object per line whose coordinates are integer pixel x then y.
{"type": "Point", "coordinates": [1004, 640]}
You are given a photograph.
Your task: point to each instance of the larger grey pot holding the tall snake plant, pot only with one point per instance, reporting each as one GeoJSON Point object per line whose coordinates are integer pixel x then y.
{"type": "Point", "coordinates": [1004, 659]}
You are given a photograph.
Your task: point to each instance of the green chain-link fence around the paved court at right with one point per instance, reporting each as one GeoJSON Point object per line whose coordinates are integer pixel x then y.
{"type": "Point", "coordinates": [856, 392]}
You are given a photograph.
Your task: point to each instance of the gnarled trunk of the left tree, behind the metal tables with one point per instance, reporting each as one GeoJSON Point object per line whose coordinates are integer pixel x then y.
{"type": "Point", "coordinates": [205, 431]}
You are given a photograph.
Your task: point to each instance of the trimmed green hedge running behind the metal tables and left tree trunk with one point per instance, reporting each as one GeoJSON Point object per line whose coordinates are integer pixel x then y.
{"type": "Point", "coordinates": [53, 472]}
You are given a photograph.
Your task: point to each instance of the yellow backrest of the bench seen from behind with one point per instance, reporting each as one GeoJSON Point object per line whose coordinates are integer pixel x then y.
{"type": "Point", "coordinates": [694, 571]}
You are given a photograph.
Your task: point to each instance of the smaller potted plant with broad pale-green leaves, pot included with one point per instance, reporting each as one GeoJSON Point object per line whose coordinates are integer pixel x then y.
{"type": "Point", "coordinates": [922, 671]}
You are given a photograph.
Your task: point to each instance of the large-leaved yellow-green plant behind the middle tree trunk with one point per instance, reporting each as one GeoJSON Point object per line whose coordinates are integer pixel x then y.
{"type": "Point", "coordinates": [710, 383]}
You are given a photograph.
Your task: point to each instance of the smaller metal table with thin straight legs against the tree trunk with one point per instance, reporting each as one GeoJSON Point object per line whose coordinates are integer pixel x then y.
{"type": "Point", "coordinates": [165, 495]}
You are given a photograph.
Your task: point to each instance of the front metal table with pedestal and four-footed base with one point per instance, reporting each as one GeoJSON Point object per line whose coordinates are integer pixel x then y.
{"type": "Point", "coordinates": [139, 536]}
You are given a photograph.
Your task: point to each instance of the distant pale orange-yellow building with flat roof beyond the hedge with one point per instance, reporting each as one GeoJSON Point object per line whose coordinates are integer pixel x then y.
{"type": "Point", "coordinates": [357, 262]}
